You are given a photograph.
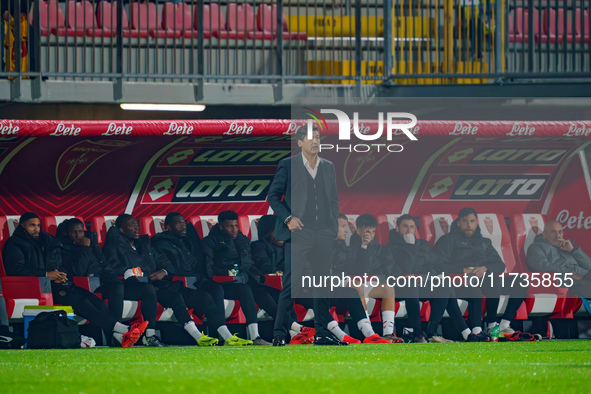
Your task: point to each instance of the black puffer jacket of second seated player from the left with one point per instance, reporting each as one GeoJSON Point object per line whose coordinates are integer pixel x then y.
{"type": "Point", "coordinates": [78, 260]}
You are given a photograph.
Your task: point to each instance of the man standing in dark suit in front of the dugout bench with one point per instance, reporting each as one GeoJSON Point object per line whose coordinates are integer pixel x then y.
{"type": "Point", "coordinates": [305, 199]}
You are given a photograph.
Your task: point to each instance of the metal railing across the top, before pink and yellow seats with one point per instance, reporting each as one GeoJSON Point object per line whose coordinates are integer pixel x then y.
{"type": "Point", "coordinates": [297, 41]}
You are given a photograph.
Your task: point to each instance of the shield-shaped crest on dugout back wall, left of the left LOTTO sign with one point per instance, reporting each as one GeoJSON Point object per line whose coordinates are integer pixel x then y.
{"type": "Point", "coordinates": [80, 157]}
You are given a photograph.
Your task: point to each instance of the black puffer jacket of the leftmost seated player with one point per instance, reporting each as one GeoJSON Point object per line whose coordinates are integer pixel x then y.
{"type": "Point", "coordinates": [24, 255]}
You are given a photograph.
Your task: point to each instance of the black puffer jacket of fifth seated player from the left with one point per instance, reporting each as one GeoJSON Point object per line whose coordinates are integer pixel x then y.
{"type": "Point", "coordinates": [222, 252]}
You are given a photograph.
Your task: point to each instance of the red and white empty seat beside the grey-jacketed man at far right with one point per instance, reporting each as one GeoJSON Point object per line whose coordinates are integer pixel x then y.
{"type": "Point", "coordinates": [540, 301]}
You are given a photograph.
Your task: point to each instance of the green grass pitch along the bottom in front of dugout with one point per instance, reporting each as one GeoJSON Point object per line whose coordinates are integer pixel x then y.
{"type": "Point", "coordinates": [536, 367]}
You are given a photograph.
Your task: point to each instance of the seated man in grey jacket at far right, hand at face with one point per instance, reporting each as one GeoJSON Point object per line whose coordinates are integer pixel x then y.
{"type": "Point", "coordinates": [551, 252]}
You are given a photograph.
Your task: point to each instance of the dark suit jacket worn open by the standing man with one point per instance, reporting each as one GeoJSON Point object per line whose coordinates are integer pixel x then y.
{"type": "Point", "coordinates": [291, 184]}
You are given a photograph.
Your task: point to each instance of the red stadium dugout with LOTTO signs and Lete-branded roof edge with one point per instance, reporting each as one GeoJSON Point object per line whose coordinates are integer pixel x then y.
{"type": "Point", "coordinates": [515, 174]}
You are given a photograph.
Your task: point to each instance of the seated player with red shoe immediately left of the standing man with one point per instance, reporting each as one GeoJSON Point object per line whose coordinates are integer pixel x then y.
{"type": "Point", "coordinates": [269, 259]}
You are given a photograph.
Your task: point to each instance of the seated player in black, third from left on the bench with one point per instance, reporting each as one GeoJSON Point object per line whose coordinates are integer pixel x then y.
{"type": "Point", "coordinates": [131, 256]}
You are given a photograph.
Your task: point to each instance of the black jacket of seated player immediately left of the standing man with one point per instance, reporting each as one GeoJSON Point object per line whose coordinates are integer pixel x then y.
{"type": "Point", "coordinates": [268, 258]}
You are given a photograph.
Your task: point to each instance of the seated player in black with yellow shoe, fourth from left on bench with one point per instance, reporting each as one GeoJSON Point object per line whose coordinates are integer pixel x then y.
{"type": "Point", "coordinates": [182, 246]}
